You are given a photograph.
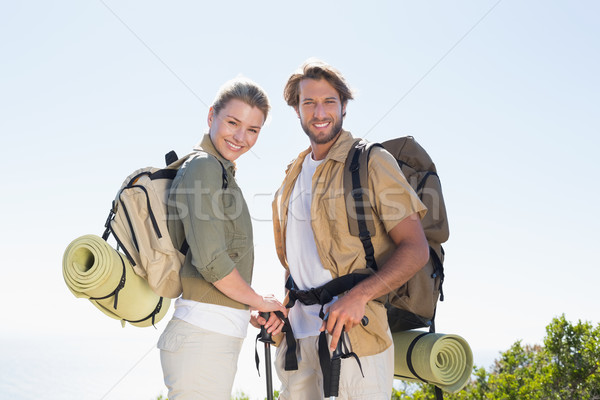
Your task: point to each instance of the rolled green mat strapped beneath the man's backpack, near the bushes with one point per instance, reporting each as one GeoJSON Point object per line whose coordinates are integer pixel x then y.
{"type": "Point", "coordinates": [440, 359]}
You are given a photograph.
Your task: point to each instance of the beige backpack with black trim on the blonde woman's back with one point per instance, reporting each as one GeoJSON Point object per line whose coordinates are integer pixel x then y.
{"type": "Point", "coordinates": [138, 222]}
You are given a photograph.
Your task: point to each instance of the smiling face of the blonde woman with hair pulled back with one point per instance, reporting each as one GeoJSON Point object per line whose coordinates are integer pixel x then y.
{"type": "Point", "coordinates": [234, 130]}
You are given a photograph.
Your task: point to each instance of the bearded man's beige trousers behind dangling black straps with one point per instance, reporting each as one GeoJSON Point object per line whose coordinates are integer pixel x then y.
{"type": "Point", "coordinates": [307, 382]}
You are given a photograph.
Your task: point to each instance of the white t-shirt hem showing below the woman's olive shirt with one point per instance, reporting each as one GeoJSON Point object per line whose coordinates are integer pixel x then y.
{"type": "Point", "coordinates": [225, 320]}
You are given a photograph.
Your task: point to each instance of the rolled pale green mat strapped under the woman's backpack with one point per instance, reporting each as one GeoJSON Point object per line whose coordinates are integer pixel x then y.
{"type": "Point", "coordinates": [92, 269]}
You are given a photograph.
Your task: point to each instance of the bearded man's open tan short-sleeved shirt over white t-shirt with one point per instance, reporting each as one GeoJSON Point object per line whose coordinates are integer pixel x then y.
{"type": "Point", "coordinates": [340, 252]}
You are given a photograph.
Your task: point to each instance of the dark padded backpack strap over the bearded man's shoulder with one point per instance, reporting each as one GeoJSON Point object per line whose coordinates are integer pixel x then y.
{"type": "Point", "coordinates": [358, 204]}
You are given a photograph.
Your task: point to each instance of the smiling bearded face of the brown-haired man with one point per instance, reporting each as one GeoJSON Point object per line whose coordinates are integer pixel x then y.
{"type": "Point", "coordinates": [320, 110]}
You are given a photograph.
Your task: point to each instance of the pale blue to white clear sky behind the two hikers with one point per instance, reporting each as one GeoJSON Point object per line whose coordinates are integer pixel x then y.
{"type": "Point", "coordinates": [504, 95]}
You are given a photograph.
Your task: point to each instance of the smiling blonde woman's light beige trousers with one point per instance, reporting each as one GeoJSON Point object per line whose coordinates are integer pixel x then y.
{"type": "Point", "coordinates": [198, 364]}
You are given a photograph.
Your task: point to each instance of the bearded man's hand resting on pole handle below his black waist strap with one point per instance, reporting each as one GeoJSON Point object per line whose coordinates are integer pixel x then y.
{"type": "Point", "coordinates": [344, 314]}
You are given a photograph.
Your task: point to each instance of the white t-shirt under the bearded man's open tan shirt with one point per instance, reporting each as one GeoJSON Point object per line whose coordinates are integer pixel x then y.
{"type": "Point", "coordinates": [303, 259]}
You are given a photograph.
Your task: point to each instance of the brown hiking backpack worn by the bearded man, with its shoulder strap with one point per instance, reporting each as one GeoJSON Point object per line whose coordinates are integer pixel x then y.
{"type": "Point", "coordinates": [412, 305]}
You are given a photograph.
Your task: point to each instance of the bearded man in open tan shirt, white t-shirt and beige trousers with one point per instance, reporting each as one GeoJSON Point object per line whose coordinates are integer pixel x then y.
{"type": "Point", "coordinates": [314, 244]}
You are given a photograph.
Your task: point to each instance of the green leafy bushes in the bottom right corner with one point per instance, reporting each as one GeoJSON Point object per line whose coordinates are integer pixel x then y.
{"type": "Point", "coordinates": [566, 367]}
